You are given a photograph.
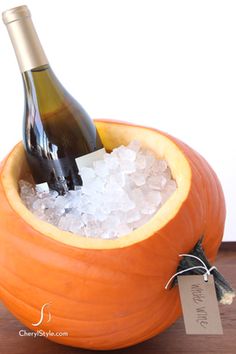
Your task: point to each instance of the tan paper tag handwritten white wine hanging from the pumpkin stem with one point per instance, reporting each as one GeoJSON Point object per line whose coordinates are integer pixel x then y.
{"type": "Point", "coordinates": [199, 305]}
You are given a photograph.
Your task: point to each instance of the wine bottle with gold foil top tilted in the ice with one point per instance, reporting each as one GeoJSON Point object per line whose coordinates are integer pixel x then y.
{"type": "Point", "coordinates": [58, 135]}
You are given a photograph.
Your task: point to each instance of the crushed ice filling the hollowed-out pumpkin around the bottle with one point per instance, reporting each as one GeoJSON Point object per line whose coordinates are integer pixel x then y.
{"type": "Point", "coordinates": [119, 194]}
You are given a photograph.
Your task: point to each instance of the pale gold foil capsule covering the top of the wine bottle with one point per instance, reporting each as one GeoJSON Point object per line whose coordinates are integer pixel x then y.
{"type": "Point", "coordinates": [25, 41]}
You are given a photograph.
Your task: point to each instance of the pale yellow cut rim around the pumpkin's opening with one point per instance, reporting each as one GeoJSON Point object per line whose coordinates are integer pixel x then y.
{"type": "Point", "coordinates": [169, 150]}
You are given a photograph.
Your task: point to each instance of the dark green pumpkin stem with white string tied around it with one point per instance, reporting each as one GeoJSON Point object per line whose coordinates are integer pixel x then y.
{"type": "Point", "coordinates": [224, 291]}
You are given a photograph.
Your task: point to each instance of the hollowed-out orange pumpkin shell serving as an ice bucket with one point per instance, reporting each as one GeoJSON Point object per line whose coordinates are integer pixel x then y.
{"type": "Point", "coordinates": [107, 294]}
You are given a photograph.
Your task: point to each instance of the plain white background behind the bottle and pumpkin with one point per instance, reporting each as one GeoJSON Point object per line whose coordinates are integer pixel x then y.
{"type": "Point", "coordinates": [166, 64]}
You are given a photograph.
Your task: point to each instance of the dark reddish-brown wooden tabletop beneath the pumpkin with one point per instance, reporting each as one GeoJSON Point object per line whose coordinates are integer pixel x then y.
{"type": "Point", "coordinates": [174, 340]}
